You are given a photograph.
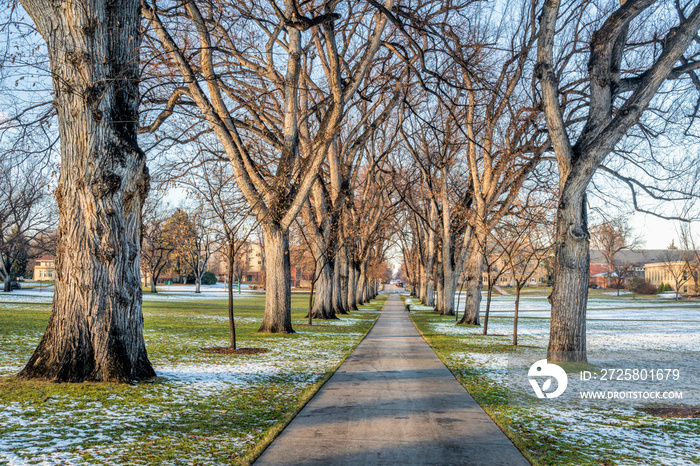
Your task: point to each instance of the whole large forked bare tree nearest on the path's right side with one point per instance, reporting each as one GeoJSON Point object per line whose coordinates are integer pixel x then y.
{"type": "Point", "coordinates": [612, 103]}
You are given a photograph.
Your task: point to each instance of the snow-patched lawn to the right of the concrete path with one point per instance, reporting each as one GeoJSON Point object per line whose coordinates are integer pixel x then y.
{"type": "Point", "coordinates": [597, 433]}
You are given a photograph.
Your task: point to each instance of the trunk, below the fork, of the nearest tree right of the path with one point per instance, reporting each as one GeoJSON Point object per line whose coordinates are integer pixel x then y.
{"type": "Point", "coordinates": [569, 298]}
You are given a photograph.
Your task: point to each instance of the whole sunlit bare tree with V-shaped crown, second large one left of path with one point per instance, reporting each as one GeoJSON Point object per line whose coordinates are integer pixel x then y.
{"type": "Point", "coordinates": [232, 49]}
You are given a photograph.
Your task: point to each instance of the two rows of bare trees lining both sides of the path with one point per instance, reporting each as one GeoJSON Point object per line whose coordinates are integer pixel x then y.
{"type": "Point", "coordinates": [350, 120]}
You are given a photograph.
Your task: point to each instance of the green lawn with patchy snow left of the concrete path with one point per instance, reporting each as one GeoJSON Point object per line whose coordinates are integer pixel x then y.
{"type": "Point", "coordinates": [202, 409]}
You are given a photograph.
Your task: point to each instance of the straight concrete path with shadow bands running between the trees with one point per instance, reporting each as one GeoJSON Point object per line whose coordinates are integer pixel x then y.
{"type": "Point", "coordinates": [392, 402]}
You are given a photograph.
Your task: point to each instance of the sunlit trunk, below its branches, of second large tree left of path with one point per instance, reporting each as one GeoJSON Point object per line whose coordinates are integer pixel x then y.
{"type": "Point", "coordinates": [278, 286]}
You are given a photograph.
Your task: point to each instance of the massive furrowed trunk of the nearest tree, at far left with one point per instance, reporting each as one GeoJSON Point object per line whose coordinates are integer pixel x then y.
{"type": "Point", "coordinates": [95, 328]}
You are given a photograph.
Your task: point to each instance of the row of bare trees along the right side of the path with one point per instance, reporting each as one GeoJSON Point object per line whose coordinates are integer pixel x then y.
{"type": "Point", "coordinates": [546, 83]}
